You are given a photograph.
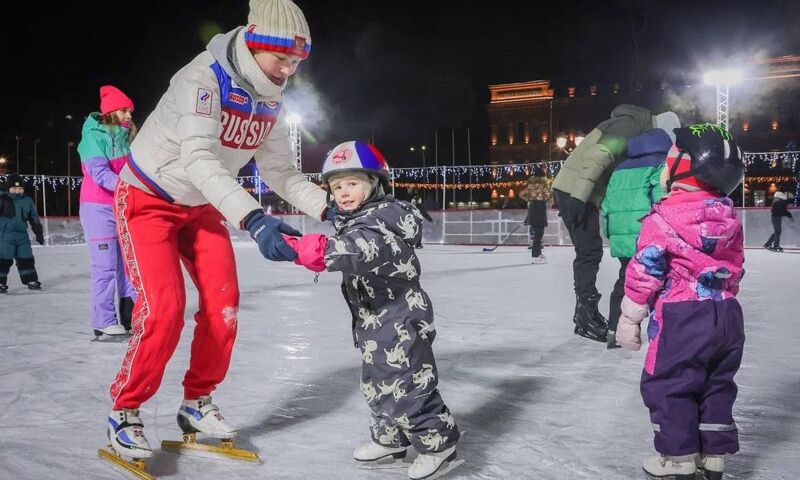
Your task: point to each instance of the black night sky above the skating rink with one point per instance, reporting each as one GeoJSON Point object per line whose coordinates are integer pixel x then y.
{"type": "Point", "coordinates": [394, 71]}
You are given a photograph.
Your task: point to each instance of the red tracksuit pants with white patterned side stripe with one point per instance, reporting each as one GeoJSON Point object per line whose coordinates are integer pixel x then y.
{"type": "Point", "coordinates": [156, 237]}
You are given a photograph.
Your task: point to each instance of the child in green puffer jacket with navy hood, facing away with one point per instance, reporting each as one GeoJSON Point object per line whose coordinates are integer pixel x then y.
{"type": "Point", "coordinates": [634, 186]}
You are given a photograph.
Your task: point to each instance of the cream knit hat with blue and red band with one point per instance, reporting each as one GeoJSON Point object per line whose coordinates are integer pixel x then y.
{"type": "Point", "coordinates": [277, 26]}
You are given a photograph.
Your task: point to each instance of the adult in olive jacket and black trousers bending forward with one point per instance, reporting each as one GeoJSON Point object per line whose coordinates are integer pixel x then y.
{"type": "Point", "coordinates": [579, 189]}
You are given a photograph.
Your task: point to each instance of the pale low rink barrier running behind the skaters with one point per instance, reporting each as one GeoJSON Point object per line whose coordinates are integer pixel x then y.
{"type": "Point", "coordinates": [465, 227]}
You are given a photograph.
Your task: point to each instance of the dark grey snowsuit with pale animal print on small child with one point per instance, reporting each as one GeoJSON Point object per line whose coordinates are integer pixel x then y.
{"type": "Point", "coordinates": [392, 324]}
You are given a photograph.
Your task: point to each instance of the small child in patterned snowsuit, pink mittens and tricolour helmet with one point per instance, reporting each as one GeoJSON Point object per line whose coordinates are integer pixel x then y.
{"type": "Point", "coordinates": [392, 316]}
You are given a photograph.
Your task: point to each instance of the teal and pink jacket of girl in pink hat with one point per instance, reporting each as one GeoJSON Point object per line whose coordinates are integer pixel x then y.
{"type": "Point", "coordinates": [103, 150]}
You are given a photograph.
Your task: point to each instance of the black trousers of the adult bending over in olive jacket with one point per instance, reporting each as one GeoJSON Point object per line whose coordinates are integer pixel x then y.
{"type": "Point", "coordinates": [588, 246]}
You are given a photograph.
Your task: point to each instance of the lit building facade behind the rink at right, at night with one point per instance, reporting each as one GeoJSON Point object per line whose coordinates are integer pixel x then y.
{"type": "Point", "coordinates": [537, 122]}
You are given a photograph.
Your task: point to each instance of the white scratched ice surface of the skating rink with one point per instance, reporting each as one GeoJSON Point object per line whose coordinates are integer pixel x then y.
{"type": "Point", "coordinates": [533, 400]}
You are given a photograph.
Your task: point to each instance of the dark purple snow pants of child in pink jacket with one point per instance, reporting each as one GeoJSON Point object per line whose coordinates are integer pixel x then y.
{"type": "Point", "coordinates": [691, 392]}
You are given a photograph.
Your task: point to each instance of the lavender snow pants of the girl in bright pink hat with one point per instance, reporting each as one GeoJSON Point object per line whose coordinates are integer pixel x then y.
{"type": "Point", "coordinates": [107, 264]}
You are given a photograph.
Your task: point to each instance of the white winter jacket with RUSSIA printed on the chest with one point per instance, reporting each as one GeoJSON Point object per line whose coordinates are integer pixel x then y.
{"type": "Point", "coordinates": [215, 116]}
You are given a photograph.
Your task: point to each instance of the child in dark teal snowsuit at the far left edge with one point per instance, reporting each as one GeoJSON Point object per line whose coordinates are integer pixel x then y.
{"type": "Point", "coordinates": [16, 212]}
